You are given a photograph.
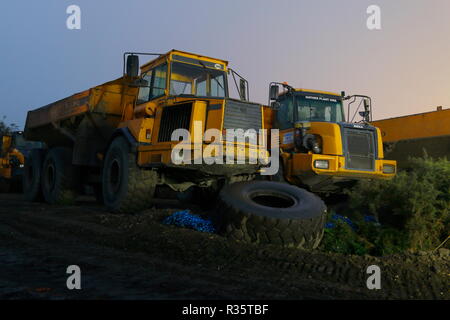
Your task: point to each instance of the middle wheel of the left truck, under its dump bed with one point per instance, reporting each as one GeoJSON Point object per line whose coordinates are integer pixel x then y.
{"type": "Point", "coordinates": [58, 177]}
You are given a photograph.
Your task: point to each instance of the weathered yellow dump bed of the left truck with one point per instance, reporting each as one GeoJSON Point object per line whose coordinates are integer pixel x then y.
{"type": "Point", "coordinates": [84, 121]}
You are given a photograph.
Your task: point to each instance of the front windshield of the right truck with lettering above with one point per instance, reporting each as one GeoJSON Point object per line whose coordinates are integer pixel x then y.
{"type": "Point", "coordinates": [319, 108]}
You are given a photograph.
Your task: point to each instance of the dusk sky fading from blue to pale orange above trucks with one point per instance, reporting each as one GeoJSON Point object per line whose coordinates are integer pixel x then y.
{"type": "Point", "coordinates": [315, 44]}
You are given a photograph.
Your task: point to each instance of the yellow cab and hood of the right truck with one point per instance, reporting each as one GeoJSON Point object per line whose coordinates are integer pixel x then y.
{"type": "Point", "coordinates": [321, 150]}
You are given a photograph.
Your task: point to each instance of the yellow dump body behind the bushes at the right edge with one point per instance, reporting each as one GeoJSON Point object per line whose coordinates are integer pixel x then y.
{"type": "Point", "coordinates": [415, 135]}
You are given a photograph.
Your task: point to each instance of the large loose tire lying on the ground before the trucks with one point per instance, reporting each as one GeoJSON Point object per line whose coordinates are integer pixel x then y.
{"type": "Point", "coordinates": [270, 213]}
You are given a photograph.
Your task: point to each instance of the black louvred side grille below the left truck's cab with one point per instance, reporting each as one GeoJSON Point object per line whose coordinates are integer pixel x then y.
{"type": "Point", "coordinates": [172, 118]}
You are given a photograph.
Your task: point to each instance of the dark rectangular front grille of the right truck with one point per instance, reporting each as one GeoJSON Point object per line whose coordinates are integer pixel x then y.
{"type": "Point", "coordinates": [359, 148]}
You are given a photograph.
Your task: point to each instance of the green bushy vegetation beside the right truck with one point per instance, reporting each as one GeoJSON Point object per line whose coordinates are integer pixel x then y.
{"type": "Point", "coordinates": [413, 211]}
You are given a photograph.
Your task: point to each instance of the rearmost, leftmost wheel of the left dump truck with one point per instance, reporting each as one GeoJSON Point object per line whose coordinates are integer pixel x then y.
{"type": "Point", "coordinates": [32, 173]}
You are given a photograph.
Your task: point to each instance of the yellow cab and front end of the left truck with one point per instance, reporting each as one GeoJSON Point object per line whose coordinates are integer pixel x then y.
{"type": "Point", "coordinates": [182, 90]}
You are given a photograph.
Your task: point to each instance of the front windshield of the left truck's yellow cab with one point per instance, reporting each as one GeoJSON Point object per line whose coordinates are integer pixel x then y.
{"type": "Point", "coordinates": [187, 79]}
